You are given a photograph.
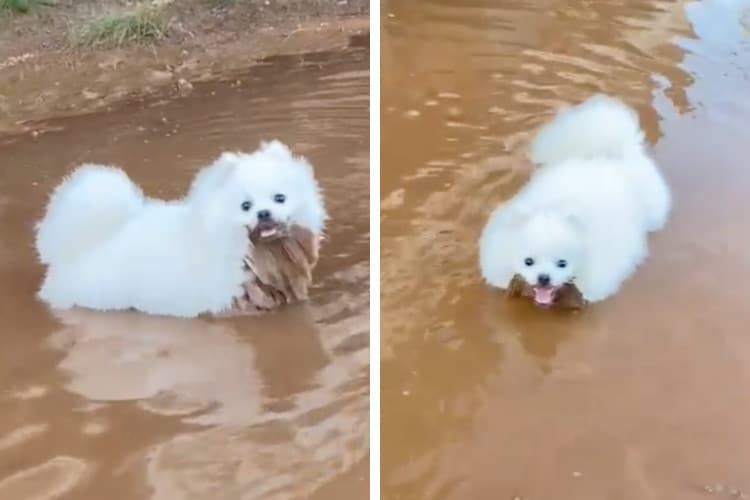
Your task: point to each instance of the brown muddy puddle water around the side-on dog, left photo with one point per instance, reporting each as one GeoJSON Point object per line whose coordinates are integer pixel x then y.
{"type": "Point", "coordinates": [124, 406]}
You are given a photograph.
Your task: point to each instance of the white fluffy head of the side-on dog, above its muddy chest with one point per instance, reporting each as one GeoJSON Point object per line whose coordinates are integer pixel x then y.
{"type": "Point", "coordinates": [267, 191]}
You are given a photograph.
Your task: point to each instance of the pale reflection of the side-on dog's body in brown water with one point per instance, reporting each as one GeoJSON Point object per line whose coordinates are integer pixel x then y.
{"type": "Point", "coordinates": [200, 371]}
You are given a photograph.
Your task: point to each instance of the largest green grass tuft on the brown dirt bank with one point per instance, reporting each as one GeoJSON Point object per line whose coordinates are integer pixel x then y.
{"type": "Point", "coordinates": [140, 24]}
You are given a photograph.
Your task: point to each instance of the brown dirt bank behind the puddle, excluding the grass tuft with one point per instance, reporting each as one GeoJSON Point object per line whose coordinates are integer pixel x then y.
{"type": "Point", "coordinates": [45, 74]}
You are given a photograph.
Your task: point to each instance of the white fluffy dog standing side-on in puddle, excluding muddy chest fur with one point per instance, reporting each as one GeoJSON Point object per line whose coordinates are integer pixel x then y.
{"type": "Point", "coordinates": [108, 247]}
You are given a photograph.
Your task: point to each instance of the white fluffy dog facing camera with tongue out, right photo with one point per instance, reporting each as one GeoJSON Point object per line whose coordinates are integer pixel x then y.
{"type": "Point", "coordinates": [584, 216]}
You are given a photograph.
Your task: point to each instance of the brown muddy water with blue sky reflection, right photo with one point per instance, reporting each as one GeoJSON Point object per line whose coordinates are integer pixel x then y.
{"type": "Point", "coordinates": [642, 397]}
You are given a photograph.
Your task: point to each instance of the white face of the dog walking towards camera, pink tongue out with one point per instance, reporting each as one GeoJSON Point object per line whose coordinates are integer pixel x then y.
{"type": "Point", "coordinates": [548, 253]}
